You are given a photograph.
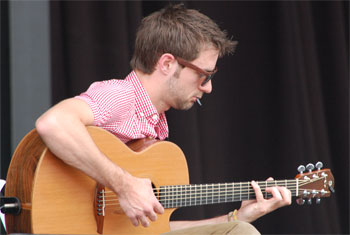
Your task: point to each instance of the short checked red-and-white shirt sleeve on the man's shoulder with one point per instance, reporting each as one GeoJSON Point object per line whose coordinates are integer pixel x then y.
{"type": "Point", "coordinates": [111, 101]}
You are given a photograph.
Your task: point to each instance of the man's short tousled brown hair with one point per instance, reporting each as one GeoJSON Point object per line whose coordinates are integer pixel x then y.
{"type": "Point", "coordinates": [179, 31]}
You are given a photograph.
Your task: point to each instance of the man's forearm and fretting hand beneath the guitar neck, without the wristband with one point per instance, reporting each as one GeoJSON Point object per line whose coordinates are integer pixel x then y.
{"type": "Point", "coordinates": [250, 210]}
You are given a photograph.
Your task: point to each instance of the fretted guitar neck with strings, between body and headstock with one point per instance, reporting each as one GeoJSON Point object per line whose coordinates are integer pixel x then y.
{"type": "Point", "coordinates": [175, 196]}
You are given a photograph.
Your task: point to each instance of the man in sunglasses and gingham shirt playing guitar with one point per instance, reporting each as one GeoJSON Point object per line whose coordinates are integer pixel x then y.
{"type": "Point", "coordinates": [175, 56]}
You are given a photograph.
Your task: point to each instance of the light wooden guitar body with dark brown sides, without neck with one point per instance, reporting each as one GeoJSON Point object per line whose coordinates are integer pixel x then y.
{"type": "Point", "coordinates": [59, 199]}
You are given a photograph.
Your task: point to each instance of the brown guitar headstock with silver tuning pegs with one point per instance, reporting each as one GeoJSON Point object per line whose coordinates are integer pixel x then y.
{"type": "Point", "coordinates": [314, 184]}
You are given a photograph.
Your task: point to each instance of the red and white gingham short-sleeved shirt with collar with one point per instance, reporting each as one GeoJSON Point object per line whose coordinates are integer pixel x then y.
{"type": "Point", "coordinates": [124, 108]}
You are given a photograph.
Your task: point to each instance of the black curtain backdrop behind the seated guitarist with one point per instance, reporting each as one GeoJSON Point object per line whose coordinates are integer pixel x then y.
{"type": "Point", "coordinates": [280, 101]}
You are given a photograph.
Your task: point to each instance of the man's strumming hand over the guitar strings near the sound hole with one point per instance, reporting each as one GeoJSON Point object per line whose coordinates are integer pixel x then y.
{"type": "Point", "coordinates": [138, 201]}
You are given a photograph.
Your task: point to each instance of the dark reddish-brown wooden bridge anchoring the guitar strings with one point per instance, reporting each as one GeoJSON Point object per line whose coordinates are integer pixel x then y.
{"type": "Point", "coordinates": [99, 207]}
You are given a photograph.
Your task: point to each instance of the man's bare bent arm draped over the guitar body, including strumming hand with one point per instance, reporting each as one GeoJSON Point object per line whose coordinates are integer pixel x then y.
{"type": "Point", "coordinates": [63, 130]}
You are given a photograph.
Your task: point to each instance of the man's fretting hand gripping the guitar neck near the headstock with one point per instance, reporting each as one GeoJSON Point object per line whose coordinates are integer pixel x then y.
{"type": "Point", "coordinates": [253, 209]}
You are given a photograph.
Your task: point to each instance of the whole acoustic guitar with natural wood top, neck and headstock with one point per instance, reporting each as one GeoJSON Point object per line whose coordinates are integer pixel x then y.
{"type": "Point", "coordinates": [58, 199]}
